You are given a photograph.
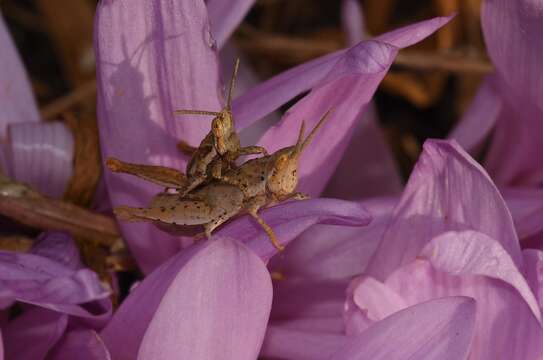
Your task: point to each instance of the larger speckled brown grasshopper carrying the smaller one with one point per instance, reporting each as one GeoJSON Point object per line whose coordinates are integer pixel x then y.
{"type": "Point", "coordinates": [257, 183]}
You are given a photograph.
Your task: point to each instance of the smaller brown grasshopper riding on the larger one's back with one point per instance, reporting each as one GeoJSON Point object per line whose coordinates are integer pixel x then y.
{"type": "Point", "coordinates": [216, 154]}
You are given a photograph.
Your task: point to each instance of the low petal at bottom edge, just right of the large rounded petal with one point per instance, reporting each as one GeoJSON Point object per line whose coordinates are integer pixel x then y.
{"type": "Point", "coordinates": [286, 343]}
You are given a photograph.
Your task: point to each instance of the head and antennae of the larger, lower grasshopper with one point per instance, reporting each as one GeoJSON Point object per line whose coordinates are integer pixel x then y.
{"type": "Point", "coordinates": [284, 173]}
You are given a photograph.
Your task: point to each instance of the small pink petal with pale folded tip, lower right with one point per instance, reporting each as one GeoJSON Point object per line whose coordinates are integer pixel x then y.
{"type": "Point", "coordinates": [368, 301]}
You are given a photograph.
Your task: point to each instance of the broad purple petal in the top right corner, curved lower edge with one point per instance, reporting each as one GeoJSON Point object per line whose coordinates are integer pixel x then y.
{"type": "Point", "coordinates": [512, 33]}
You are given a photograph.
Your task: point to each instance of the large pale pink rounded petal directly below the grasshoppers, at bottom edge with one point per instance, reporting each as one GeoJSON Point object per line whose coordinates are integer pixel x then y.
{"type": "Point", "coordinates": [217, 307]}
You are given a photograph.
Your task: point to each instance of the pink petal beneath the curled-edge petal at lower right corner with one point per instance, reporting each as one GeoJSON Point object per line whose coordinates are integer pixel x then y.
{"type": "Point", "coordinates": [496, 304]}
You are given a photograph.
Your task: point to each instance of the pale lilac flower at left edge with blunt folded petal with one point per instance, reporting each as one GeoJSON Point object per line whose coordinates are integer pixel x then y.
{"type": "Point", "coordinates": [34, 152]}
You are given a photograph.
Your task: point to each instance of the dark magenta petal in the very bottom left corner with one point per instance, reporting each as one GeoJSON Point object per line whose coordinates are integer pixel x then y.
{"type": "Point", "coordinates": [32, 334]}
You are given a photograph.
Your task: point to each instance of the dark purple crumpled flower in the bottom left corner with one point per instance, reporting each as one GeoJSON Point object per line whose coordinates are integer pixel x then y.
{"type": "Point", "coordinates": [61, 301]}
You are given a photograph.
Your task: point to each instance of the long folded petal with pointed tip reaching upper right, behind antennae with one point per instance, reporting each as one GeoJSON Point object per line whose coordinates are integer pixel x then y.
{"type": "Point", "coordinates": [347, 89]}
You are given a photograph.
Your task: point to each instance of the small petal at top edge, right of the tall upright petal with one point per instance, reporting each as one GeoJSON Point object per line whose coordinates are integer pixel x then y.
{"type": "Point", "coordinates": [225, 16]}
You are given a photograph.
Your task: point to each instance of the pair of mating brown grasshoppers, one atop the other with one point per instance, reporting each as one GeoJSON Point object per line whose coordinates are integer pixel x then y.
{"type": "Point", "coordinates": [215, 189]}
